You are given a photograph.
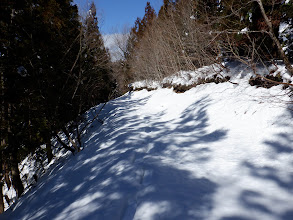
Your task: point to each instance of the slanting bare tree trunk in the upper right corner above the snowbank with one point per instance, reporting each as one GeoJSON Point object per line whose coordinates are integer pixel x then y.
{"type": "Point", "coordinates": [274, 38]}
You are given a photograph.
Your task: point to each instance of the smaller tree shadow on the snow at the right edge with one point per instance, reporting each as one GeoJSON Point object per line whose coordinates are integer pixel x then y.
{"type": "Point", "coordinates": [280, 150]}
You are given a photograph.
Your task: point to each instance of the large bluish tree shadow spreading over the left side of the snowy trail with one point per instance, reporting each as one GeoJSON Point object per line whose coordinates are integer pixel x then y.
{"type": "Point", "coordinates": [119, 174]}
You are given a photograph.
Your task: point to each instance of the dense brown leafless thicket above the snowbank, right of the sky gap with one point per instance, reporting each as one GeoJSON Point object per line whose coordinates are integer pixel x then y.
{"type": "Point", "coordinates": [175, 41]}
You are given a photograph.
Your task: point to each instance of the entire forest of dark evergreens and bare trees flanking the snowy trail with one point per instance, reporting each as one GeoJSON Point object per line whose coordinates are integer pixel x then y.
{"type": "Point", "coordinates": [54, 65]}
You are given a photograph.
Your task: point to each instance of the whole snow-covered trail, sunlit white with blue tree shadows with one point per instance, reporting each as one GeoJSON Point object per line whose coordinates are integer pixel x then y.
{"type": "Point", "coordinates": [214, 152]}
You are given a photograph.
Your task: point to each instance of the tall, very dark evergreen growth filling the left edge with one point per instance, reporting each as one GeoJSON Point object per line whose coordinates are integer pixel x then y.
{"type": "Point", "coordinates": [37, 53]}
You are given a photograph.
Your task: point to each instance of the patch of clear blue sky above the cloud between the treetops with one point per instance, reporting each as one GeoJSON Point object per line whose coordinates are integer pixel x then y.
{"type": "Point", "coordinates": [114, 15]}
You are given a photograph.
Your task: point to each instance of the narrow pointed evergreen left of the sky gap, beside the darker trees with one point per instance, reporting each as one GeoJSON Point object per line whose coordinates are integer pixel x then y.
{"type": "Point", "coordinates": [95, 82]}
